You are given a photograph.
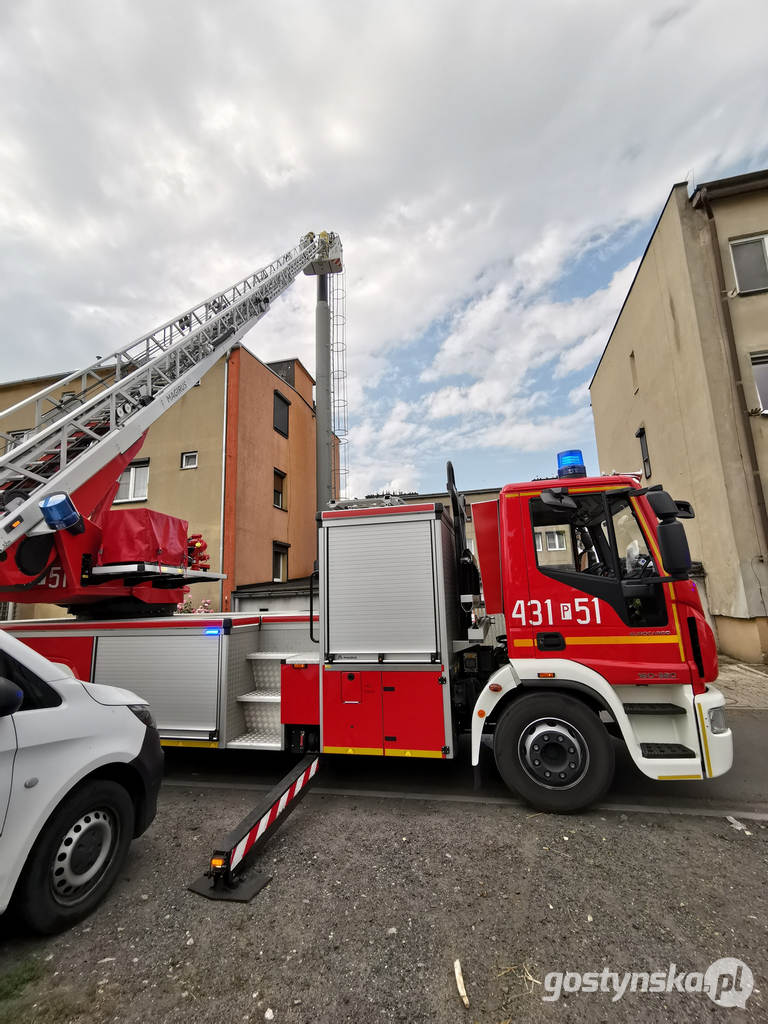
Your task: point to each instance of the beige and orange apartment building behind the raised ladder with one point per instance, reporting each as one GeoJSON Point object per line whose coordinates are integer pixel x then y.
{"type": "Point", "coordinates": [236, 459]}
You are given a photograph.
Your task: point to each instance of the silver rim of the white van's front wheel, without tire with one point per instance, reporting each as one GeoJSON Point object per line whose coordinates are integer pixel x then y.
{"type": "Point", "coordinates": [84, 856]}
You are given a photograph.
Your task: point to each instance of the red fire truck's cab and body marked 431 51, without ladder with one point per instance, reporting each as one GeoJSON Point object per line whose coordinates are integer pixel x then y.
{"type": "Point", "coordinates": [608, 642]}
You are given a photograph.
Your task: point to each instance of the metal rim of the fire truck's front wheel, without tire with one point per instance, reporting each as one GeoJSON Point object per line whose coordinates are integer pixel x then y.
{"type": "Point", "coordinates": [554, 753]}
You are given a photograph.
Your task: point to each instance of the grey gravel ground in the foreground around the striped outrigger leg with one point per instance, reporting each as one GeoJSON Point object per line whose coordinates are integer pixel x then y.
{"type": "Point", "coordinates": [371, 903]}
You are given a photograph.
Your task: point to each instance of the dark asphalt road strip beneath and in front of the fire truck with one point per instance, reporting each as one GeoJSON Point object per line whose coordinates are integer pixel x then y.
{"type": "Point", "coordinates": [744, 789]}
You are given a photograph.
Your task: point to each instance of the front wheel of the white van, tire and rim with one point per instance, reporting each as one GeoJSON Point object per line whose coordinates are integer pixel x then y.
{"type": "Point", "coordinates": [86, 840]}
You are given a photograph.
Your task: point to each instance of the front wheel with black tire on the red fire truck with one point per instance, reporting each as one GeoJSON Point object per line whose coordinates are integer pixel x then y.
{"type": "Point", "coordinates": [554, 752]}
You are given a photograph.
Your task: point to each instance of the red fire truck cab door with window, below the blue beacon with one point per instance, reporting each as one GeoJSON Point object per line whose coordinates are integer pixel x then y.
{"type": "Point", "coordinates": [592, 595]}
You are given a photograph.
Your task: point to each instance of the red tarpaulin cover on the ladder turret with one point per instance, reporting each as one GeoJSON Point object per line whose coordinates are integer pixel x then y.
{"type": "Point", "coordinates": [143, 536]}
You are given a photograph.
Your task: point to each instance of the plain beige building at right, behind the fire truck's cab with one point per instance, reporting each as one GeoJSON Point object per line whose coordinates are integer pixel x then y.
{"type": "Point", "coordinates": [681, 391]}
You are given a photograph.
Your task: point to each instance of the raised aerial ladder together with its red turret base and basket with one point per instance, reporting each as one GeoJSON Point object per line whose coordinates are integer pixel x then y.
{"type": "Point", "coordinates": [59, 482]}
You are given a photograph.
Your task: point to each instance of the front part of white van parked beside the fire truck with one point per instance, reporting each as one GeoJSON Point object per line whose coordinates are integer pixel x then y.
{"type": "Point", "coordinates": [80, 771]}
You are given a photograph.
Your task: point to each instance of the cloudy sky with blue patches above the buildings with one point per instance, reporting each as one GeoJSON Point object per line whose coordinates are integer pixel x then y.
{"type": "Point", "coordinates": [495, 170]}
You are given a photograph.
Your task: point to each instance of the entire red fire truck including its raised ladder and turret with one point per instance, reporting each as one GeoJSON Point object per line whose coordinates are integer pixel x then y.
{"type": "Point", "coordinates": [606, 635]}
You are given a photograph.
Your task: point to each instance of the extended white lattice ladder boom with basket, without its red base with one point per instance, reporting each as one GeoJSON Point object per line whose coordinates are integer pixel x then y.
{"type": "Point", "coordinates": [118, 398]}
